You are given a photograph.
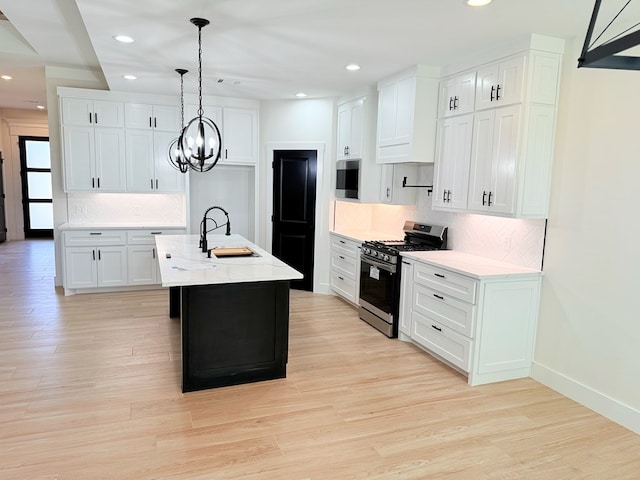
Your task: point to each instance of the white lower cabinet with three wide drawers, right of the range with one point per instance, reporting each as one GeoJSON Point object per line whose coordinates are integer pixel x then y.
{"type": "Point", "coordinates": [482, 325]}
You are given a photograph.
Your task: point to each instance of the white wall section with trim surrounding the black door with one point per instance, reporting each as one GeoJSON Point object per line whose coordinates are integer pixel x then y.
{"type": "Point", "coordinates": [298, 124]}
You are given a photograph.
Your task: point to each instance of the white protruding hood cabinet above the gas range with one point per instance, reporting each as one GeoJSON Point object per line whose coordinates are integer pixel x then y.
{"type": "Point", "coordinates": [407, 111]}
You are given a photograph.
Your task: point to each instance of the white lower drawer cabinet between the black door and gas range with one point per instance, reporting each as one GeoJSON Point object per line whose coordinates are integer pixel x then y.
{"type": "Point", "coordinates": [345, 268]}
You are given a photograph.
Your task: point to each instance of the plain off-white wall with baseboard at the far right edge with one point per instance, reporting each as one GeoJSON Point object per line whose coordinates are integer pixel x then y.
{"type": "Point", "coordinates": [589, 326]}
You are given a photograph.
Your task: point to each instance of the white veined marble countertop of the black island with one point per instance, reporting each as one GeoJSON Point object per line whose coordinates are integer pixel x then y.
{"type": "Point", "coordinates": [189, 266]}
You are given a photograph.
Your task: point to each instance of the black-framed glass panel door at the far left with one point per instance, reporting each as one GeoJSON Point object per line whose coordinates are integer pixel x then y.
{"type": "Point", "coordinates": [37, 198]}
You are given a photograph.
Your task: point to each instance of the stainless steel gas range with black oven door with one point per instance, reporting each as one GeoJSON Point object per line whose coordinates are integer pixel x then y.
{"type": "Point", "coordinates": [380, 271]}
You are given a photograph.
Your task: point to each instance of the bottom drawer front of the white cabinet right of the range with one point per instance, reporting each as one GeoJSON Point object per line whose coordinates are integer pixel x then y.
{"type": "Point", "coordinates": [442, 341]}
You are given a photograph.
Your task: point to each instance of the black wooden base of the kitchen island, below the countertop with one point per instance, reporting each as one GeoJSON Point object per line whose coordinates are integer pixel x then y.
{"type": "Point", "coordinates": [233, 333]}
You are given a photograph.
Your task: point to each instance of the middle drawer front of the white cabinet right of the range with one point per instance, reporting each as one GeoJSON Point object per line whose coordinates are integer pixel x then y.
{"type": "Point", "coordinates": [449, 311]}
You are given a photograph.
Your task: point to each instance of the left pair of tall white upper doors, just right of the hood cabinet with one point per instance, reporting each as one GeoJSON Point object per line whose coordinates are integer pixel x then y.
{"type": "Point", "coordinates": [451, 178]}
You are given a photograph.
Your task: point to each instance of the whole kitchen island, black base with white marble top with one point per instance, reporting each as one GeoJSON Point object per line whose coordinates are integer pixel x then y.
{"type": "Point", "coordinates": [234, 311]}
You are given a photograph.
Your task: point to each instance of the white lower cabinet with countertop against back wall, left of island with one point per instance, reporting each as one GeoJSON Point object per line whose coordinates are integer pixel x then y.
{"type": "Point", "coordinates": [101, 259]}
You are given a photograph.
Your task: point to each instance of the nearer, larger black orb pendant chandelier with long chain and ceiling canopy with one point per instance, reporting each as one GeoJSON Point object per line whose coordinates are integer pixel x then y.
{"type": "Point", "coordinates": [200, 140]}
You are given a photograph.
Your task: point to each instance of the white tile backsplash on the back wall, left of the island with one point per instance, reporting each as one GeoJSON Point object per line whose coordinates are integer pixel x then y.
{"type": "Point", "coordinates": [127, 208]}
